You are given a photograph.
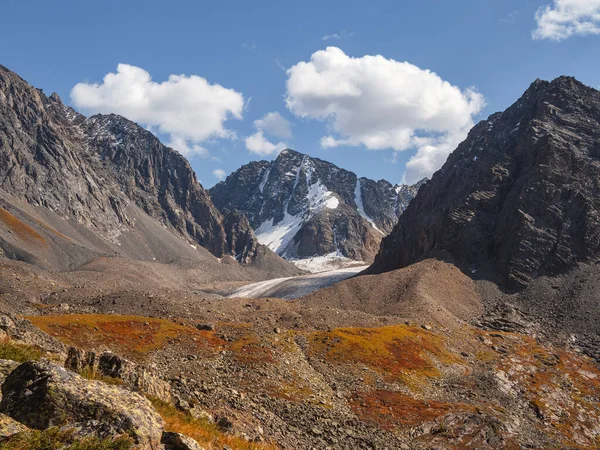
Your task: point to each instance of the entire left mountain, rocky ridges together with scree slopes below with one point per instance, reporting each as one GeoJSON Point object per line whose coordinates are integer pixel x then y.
{"type": "Point", "coordinates": [72, 188]}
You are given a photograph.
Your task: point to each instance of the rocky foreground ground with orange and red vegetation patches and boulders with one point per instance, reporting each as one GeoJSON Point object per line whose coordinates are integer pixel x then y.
{"type": "Point", "coordinates": [267, 373]}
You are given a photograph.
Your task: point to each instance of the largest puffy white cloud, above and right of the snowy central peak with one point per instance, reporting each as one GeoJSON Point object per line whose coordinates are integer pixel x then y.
{"type": "Point", "coordinates": [381, 103]}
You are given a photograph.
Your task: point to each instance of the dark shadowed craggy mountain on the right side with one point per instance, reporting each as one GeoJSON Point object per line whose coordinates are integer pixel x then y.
{"type": "Point", "coordinates": [520, 194]}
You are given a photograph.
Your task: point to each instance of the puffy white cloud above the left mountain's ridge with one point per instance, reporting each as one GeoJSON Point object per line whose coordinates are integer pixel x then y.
{"type": "Point", "coordinates": [187, 108]}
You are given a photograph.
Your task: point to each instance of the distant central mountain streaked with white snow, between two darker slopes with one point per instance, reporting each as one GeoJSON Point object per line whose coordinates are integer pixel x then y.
{"type": "Point", "coordinates": [303, 207]}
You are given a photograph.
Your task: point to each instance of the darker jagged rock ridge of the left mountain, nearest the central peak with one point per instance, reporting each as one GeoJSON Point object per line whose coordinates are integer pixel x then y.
{"type": "Point", "coordinates": [157, 179]}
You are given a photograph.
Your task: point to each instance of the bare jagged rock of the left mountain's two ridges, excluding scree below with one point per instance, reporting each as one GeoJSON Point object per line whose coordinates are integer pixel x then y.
{"type": "Point", "coordinates": [92, 170]}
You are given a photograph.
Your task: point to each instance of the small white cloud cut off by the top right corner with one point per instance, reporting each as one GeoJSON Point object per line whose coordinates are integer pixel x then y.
{"type": "Point", "coordinates": [565, 18]}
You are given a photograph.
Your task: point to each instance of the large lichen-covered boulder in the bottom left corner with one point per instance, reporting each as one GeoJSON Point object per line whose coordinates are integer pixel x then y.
{"type": "Point", "coordinates": [41, 394]}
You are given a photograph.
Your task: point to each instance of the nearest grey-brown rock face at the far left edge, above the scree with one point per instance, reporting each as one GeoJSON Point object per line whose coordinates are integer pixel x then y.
{"type": "Point", "coordinates": [41, 159]}
